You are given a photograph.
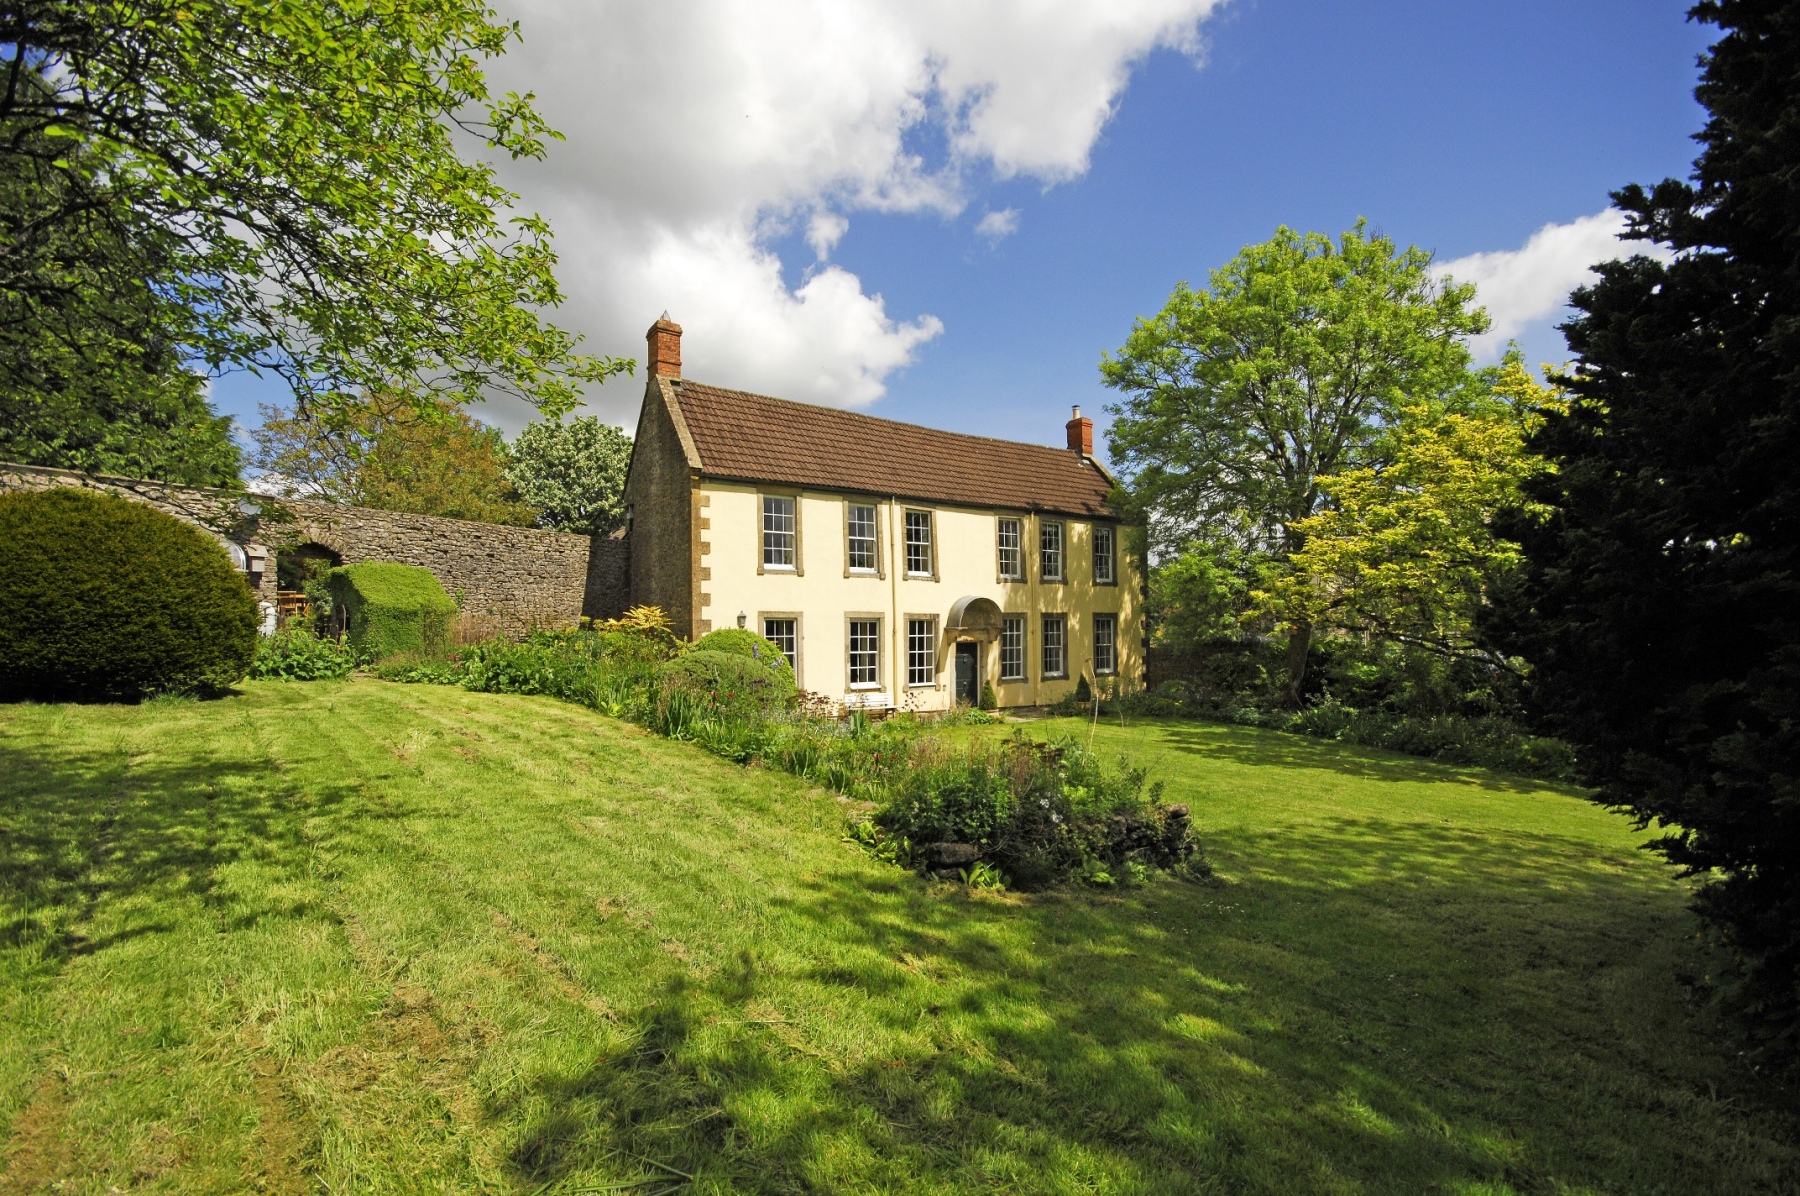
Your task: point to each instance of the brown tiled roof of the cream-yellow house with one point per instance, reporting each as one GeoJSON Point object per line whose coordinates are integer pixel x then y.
{"type": "Point", "coordinates": [759, 439]}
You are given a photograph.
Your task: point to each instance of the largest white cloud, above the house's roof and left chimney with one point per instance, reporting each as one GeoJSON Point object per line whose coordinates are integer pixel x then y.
{"type": "Point", "coordinates": [699, 132]}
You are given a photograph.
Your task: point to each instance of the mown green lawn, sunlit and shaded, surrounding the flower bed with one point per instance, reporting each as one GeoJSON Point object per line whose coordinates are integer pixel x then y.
{"type": "Point", "coordinates": [361, 938]}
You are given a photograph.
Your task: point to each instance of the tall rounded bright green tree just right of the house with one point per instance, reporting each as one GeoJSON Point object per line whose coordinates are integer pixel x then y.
{"type": "Point", "coordinates": [1290, 368]}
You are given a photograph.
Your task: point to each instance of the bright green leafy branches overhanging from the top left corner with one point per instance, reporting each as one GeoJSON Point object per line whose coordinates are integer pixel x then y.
{"type": "Point", "coordinates": [287, 181]}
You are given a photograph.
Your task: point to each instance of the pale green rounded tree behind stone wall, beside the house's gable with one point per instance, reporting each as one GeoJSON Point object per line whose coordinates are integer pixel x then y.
{"type": "Point", "coordinates": [573, 473]}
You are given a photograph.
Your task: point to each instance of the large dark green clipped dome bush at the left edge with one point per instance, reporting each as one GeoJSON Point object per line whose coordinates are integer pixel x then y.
{"type": "Point", "coordinates": [105, 599]}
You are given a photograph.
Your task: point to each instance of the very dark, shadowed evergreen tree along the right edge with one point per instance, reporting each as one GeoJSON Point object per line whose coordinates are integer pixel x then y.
{"type": "Point", "coordinates": [1660, 603]}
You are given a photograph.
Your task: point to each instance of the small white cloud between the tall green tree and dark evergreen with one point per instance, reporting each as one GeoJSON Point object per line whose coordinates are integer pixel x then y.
{"type": "Point", "coordinates": [1525, 285]}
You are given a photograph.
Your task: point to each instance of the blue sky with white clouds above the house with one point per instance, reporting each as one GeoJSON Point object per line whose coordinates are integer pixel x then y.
{"type": "Point", "coordinates": [1457, 127]}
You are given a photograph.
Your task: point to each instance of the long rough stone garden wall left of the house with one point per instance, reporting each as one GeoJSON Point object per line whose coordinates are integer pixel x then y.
{"type": "Point", "coordinates": [514, 579]}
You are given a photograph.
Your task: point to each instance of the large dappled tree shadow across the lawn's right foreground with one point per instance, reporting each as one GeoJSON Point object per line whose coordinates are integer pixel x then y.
{"type": "Point", "coordinates": [1378, 1008]}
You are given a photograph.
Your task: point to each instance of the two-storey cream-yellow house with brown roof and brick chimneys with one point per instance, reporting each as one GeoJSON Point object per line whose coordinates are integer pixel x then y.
{"type": "Point", "coordinates": [897, 566]}
